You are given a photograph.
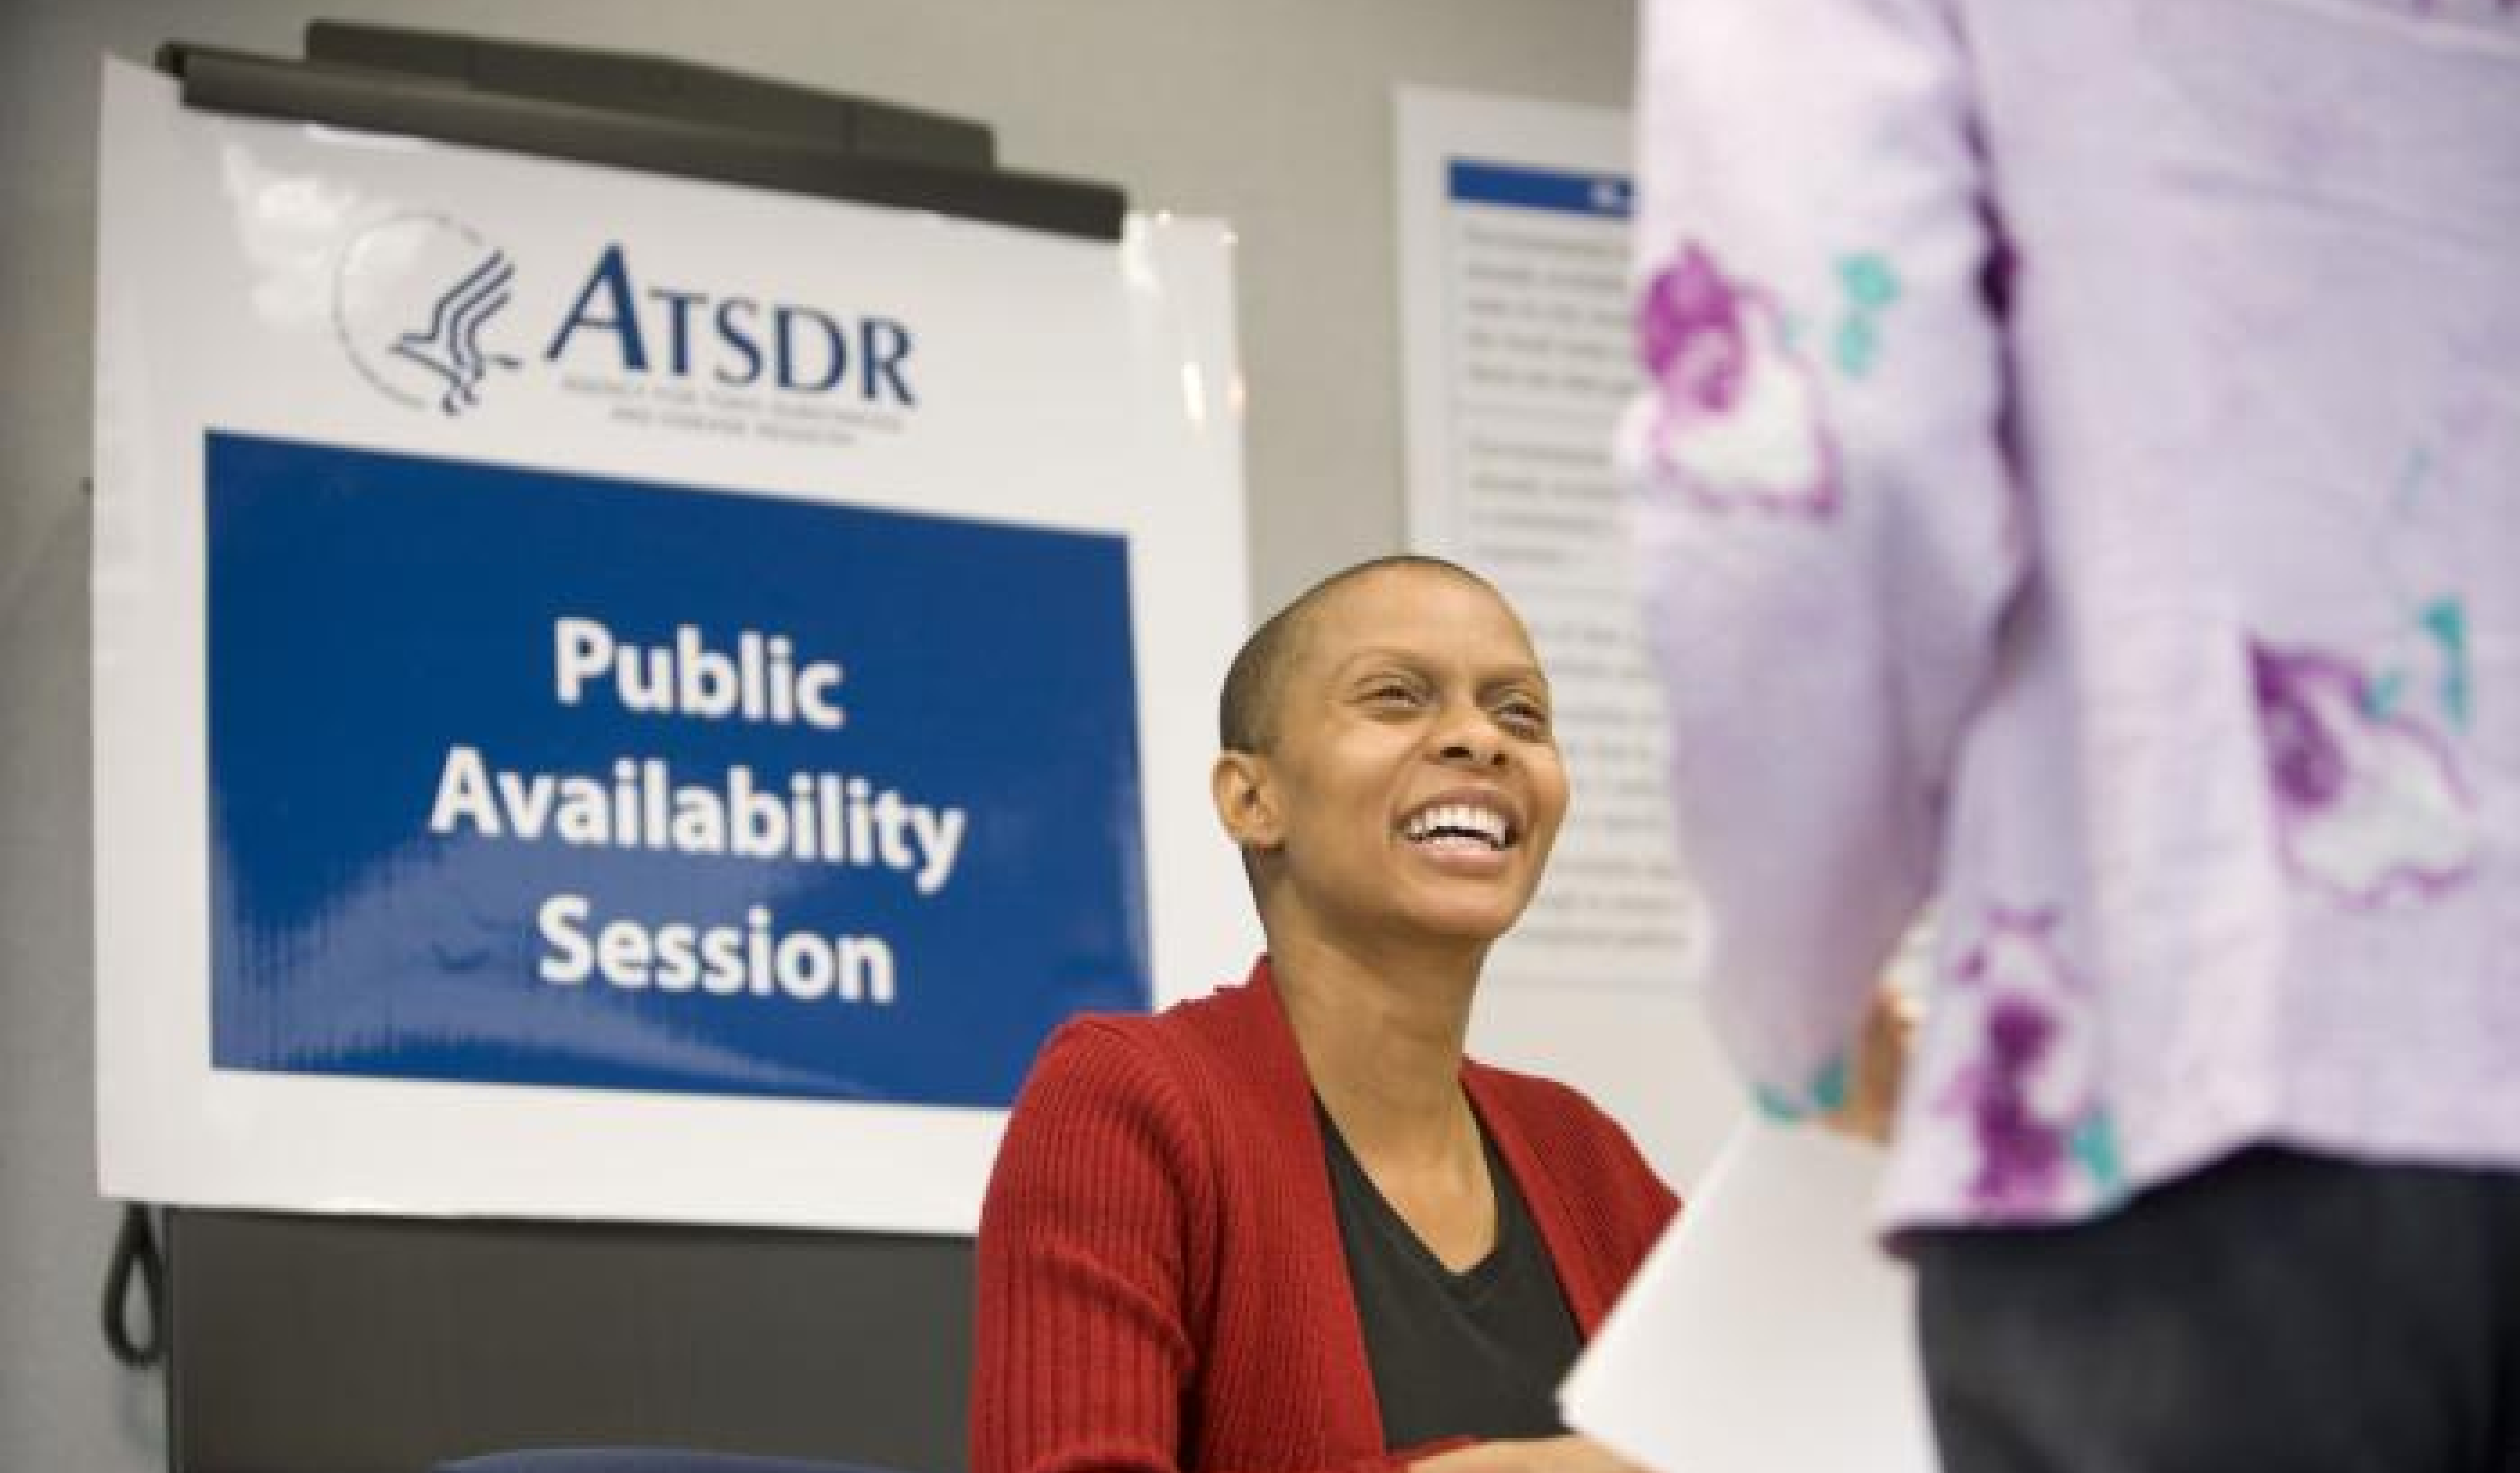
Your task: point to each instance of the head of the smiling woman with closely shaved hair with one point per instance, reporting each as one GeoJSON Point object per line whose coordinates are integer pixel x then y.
{"type": "Point", "coordinates": [1397, 692]}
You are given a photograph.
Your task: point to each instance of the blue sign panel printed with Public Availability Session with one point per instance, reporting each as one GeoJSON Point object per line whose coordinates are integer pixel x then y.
{"type": "Point", "coordinates": [556, 781]}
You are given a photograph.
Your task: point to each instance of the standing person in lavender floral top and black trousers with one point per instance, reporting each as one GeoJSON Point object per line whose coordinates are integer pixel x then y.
{"type": "Point", "coordinates": [2078, 483]}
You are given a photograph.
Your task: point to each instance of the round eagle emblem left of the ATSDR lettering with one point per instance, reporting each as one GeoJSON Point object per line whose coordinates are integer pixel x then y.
{"type": "Point", "coordinates": [412, 304]}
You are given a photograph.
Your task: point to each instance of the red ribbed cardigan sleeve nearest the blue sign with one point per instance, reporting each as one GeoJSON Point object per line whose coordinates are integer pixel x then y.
{"type": "Point", "coordinates": [1095, 1265]}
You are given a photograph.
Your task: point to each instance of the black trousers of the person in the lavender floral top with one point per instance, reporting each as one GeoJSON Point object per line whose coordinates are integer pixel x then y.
{"type": "Point", "coordinates": [2277, 1313]}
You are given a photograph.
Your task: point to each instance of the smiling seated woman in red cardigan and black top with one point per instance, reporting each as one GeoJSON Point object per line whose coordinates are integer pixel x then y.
{"type": "Point", "coordinates": [1291, 1227]}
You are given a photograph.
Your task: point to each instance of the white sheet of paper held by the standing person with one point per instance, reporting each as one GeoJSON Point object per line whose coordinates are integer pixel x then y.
{"type": "Point", "coordinates": [1768, 1333]}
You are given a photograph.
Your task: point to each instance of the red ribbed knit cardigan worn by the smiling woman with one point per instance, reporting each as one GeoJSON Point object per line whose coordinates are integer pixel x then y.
{"type": "Point", "coordinates": [1160, 1275]}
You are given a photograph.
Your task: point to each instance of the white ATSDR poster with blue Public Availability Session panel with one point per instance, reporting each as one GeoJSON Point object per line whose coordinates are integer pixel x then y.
{"type": "Point", "coordinates": [626, 697]}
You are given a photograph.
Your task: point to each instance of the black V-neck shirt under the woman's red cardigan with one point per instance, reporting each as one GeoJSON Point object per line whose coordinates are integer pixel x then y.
{"type": "Point", "coordinates": [1475, 1353]}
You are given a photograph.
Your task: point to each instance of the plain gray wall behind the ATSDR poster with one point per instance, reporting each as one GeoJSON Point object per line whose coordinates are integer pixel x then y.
{"type": "Point", "coordinates": [1274, 115]}
